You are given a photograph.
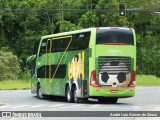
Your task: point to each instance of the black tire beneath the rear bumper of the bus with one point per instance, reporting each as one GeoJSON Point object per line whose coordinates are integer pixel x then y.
{"type": "Point", "coordinates": [108, 100]}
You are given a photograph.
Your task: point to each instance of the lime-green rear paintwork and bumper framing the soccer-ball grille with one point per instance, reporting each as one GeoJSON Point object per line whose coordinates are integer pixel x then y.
{"type": "Point", "coordinates": [112, 51]}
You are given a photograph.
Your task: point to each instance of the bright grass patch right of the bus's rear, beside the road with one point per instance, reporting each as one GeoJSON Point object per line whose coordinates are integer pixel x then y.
{"type": "Point", "coordinates": [147, 80]}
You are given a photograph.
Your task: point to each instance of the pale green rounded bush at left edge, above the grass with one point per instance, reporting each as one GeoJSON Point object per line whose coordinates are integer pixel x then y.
{"type": "Point", "coordinates": [10, 67]}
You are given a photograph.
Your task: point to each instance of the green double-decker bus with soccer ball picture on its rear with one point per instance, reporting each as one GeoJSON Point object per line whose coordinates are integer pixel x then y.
{"type": "Point", "coordinates": [95, 63]}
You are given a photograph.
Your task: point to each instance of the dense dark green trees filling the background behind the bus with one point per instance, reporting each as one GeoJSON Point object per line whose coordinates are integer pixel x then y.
{"type": "Point", "coordinates": [21, 25]}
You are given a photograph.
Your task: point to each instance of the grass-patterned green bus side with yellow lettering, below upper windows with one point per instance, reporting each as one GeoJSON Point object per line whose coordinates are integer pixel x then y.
{"type": "Point", "coordinates": [73, 68]}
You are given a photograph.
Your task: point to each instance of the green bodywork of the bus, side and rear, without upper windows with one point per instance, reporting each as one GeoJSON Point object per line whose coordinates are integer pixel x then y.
{"type": "Point", "coordinates": [78, 65]}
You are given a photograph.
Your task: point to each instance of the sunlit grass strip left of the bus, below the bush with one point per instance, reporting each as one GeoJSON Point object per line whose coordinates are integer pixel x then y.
{"type": "Point", "coordinates": [15, 84]}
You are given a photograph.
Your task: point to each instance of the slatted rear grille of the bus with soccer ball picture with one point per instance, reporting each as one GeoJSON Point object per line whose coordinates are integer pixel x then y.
{"type": "Point", "coordinates": [114, 70]}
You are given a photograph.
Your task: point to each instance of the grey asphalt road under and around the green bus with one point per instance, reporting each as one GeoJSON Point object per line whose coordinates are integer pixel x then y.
{"type": "Point", "coordinates": [146, 99]}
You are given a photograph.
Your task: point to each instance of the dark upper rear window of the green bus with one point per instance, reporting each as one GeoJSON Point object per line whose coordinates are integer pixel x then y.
{"type": "Point", "coordinates": [114, 36]}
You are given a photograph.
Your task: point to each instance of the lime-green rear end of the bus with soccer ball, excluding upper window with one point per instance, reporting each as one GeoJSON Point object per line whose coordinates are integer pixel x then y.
{"type": "Point", "coordinates": [113, 53]}
